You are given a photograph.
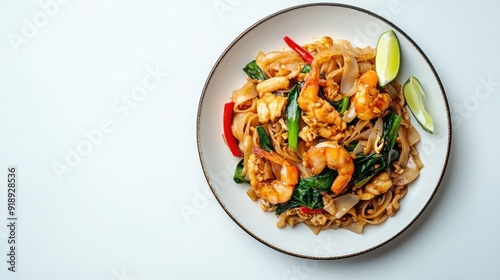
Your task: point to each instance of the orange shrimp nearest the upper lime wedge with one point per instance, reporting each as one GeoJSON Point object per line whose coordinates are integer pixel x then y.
{"type": "Point", "coordinates": [368, 102]}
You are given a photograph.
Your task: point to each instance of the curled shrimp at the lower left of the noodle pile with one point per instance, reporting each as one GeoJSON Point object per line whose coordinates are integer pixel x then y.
{"type": "Point", "coordinates": [273, 191]}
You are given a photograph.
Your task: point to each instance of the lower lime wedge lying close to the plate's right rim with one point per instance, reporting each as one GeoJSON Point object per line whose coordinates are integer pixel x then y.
{"type": "Point", "coordinates": [415, 98]}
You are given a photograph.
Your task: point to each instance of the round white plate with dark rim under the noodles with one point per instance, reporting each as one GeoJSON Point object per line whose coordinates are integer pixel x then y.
{"type": "Point", "coordinates": [303, 24]}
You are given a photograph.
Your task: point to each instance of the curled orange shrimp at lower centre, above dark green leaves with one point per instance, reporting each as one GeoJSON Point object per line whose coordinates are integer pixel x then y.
{"type": "Point", "coordinates": [334, 156]}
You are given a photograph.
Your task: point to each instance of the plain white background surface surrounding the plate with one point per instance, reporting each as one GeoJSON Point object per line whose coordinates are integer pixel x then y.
{"type": "Point", "coordinates": [119, 210]}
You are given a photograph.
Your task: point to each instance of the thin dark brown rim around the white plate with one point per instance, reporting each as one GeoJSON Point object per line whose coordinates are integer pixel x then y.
{"type": "Point", "coordinates": [427, 61]}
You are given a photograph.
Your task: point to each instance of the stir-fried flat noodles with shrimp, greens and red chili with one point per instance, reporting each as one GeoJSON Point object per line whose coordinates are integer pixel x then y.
{"type": "Point", "coordinates": [320, 141]}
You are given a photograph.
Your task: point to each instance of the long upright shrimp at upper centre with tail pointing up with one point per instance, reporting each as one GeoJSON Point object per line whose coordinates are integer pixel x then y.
{"type": "Point", "coordinates": [317, 111]}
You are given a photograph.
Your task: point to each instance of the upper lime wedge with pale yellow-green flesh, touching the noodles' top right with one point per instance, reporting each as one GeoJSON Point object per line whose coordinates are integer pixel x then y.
{"type": "Point", "coordinates": [387, 58]}
